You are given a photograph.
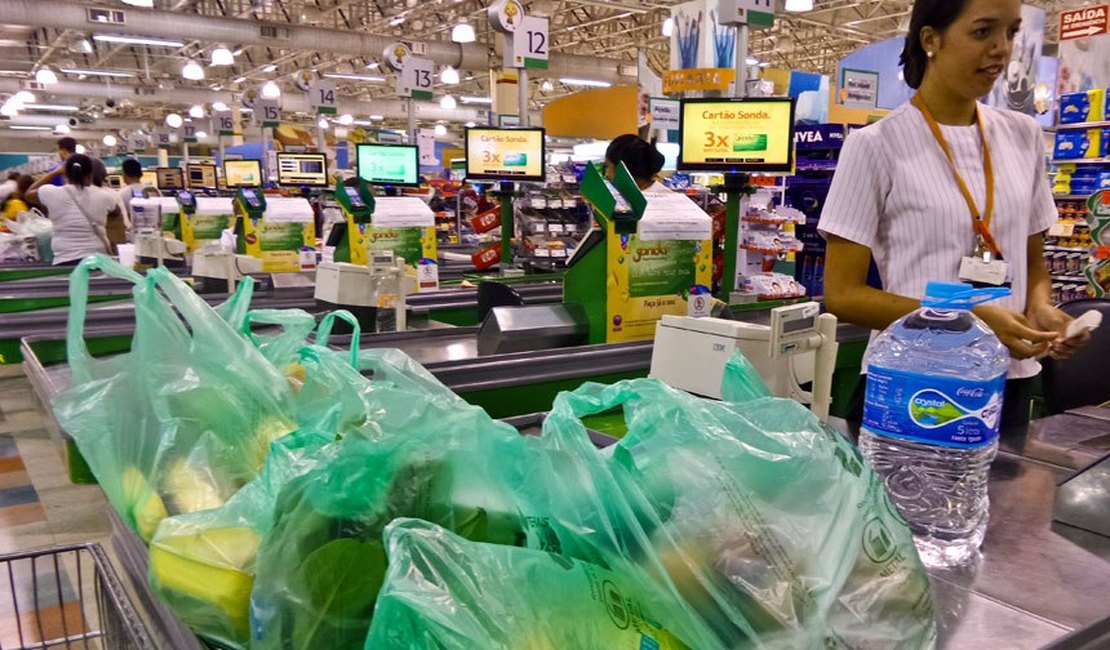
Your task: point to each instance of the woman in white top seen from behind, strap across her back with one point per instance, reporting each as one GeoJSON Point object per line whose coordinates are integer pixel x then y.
{"type": "Point", "coordinates": [78, 210]}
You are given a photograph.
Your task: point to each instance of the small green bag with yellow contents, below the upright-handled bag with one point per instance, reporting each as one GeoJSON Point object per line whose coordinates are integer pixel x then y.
{"type": "Point", "coordinates": [203, 564]}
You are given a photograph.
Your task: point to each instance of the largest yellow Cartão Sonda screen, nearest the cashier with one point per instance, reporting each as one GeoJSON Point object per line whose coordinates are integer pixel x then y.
{"type": "Point", "coordinates": [738, 136]}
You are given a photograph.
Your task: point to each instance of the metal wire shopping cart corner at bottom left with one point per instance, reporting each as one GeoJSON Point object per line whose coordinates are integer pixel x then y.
{"type": "Point", "coordinates": [67, 597]}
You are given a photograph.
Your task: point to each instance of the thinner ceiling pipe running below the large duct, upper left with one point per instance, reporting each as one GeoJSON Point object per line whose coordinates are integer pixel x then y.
{"type": "Point", "coordinates": [290, 101]}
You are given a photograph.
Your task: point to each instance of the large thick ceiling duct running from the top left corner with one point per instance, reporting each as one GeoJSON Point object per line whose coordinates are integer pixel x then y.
{"type": "Point", "coordinates": [66, 15]}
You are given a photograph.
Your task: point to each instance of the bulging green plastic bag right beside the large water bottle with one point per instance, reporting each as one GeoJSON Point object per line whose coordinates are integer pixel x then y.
{"type": "Point", "coordinates": [771, 524]}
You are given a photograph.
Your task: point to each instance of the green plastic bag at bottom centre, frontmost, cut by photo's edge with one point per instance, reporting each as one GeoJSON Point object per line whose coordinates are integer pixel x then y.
{"type": "Point", "coordinates": [443, 593]}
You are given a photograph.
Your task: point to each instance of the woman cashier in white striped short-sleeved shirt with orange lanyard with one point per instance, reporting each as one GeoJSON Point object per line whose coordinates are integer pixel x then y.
{"type": "Point", "coordinates": [947, 189]}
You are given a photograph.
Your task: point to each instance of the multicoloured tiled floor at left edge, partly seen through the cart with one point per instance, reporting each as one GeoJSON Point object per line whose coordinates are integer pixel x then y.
{"type": "Point", "coordinates": [39, 510]}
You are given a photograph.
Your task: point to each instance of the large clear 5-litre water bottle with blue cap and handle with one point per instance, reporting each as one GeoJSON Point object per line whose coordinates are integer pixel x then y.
{"type": "Point", "coordinates": [935, 385]}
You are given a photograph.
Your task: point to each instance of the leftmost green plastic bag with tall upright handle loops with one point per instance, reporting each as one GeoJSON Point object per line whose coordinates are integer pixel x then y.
{"type": "Point", "coordinates": [186, 419]}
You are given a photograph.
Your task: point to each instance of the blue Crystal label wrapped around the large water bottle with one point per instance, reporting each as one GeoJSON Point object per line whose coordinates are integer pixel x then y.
{"type": "Point", "coordinates": [941, 411]}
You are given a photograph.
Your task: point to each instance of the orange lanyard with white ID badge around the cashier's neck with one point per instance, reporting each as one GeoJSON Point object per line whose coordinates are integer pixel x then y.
{"type": "Point", "coordinates": [986, 266]}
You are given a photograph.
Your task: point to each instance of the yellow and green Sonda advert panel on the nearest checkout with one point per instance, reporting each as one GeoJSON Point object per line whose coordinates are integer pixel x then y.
{"type": "Point", "coordinates": [649, 280]}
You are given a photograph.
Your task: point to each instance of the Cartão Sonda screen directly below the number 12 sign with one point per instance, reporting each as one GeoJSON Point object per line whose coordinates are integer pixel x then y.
{"type": "Point", "coordinates": [506, 155]}
